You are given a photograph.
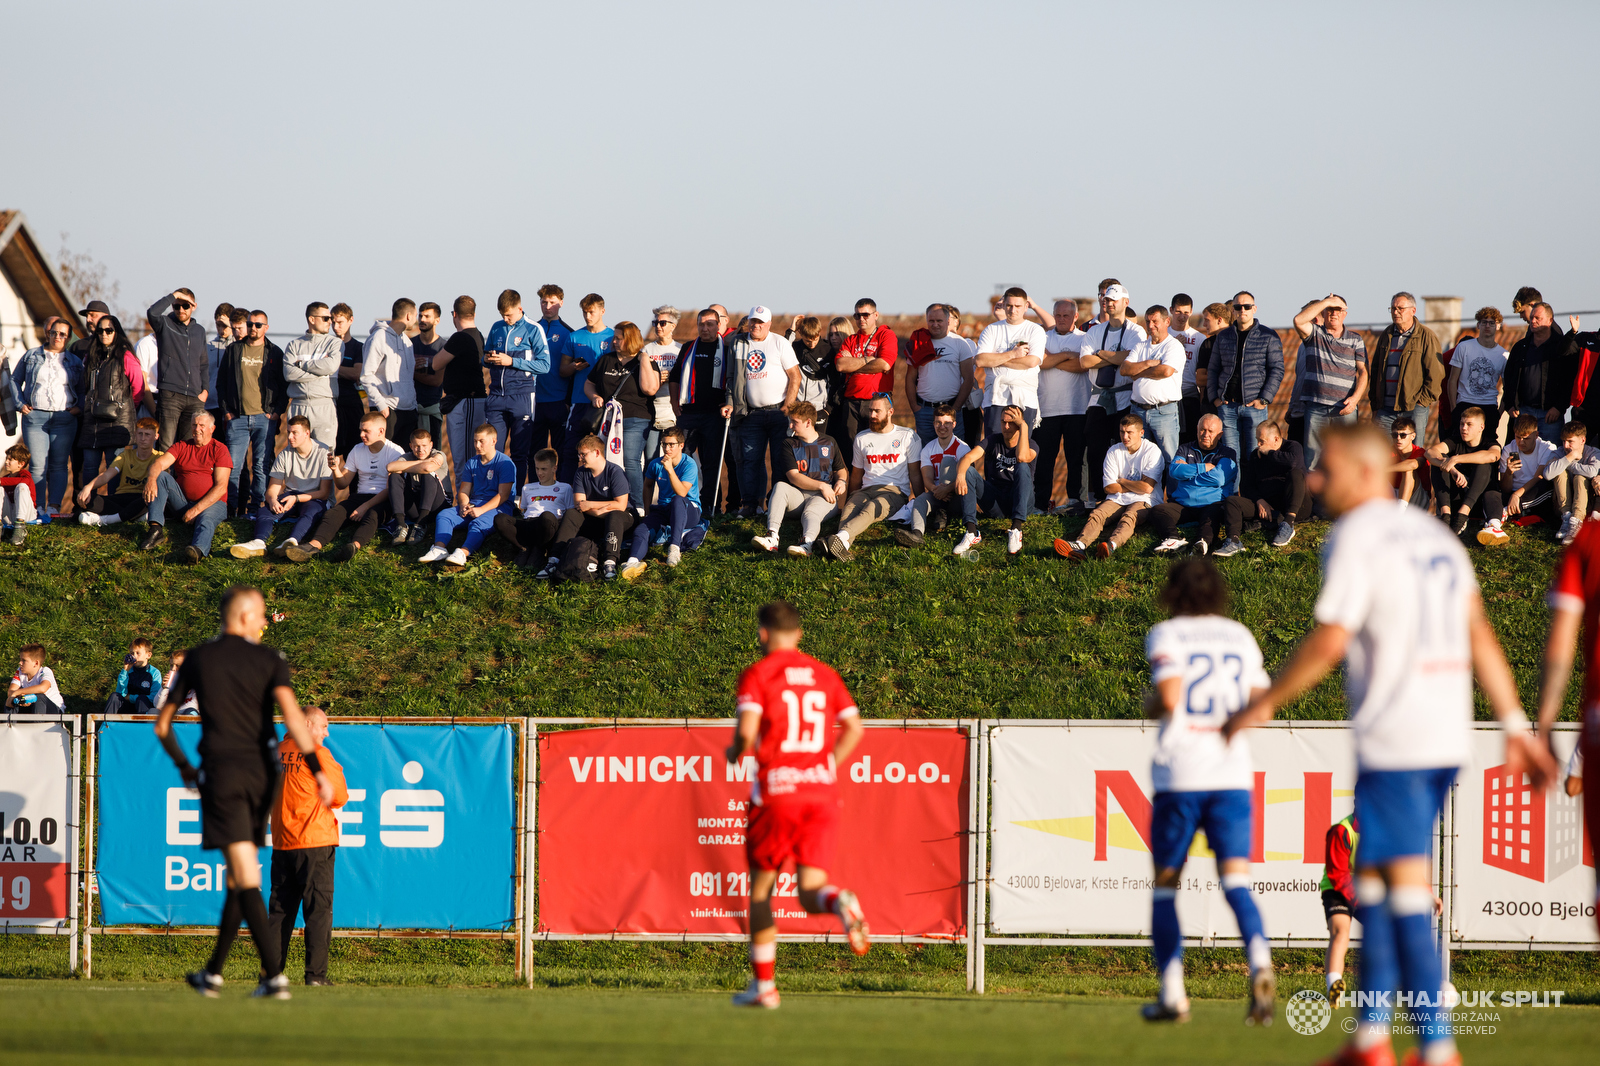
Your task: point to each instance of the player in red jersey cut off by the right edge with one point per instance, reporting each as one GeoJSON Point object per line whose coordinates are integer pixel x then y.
{"type": "Point", "coordinates": [1575, 601]}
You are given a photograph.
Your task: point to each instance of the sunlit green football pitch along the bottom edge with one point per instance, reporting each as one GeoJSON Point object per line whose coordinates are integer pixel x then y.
{"type": "Point", "coordinates": [70, 1022]}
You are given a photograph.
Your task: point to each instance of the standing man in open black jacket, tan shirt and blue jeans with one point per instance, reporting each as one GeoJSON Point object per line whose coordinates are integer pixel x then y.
{"type": "Point", "coordinates": [252, 399]}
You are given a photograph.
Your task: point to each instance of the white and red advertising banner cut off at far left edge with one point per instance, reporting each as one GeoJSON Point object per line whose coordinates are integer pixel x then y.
{"type": "Point", "coordinates": [36, 860]}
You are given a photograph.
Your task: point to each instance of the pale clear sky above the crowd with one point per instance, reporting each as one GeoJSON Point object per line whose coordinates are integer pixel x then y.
{"type": "Point", "coordinates": [806, 154]}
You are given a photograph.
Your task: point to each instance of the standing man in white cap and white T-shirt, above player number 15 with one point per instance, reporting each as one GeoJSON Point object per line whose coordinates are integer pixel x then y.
{"type": "Point", "coordinates": [764, 383]}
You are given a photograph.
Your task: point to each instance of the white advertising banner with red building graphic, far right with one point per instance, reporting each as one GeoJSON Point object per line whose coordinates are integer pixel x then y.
{"type": "Point", "coordinates": [1524, 860]}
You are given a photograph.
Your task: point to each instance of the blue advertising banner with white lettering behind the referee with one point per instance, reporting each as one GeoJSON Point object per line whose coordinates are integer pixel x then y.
{"type": "Point", "coordinates": [428, 840]}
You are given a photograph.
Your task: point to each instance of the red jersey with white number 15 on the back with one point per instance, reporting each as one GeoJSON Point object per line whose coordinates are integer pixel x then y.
{"type": "Point", "coordinates": [801, 702]}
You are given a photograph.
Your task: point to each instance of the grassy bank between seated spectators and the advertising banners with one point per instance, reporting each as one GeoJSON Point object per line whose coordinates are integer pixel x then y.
{"type": "Point", "coordinates": [914, 633]}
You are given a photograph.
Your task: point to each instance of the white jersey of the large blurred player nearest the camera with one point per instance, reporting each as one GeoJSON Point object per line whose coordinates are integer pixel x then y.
{"type": "Point", "coordinates": [1402, 587]}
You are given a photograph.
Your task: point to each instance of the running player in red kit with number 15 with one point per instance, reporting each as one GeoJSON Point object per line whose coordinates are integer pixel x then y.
{"type": "Point", "coordinates": [790, 707]}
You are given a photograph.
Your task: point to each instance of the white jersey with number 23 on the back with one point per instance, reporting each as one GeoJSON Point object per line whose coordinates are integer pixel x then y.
{"type": "Point", "coordinates": [1220, 667]}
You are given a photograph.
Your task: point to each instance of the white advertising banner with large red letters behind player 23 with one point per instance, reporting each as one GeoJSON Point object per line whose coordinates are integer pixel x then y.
{"type": "Point", "coordinates": [1071, 832]}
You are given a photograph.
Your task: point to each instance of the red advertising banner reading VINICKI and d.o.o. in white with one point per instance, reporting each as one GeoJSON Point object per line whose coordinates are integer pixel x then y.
{"type": "Point", "coordinates": [642, 832]}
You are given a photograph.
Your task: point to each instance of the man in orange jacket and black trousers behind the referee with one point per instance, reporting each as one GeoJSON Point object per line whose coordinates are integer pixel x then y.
{"type": "Point", "coordinates": [305, 843]}
